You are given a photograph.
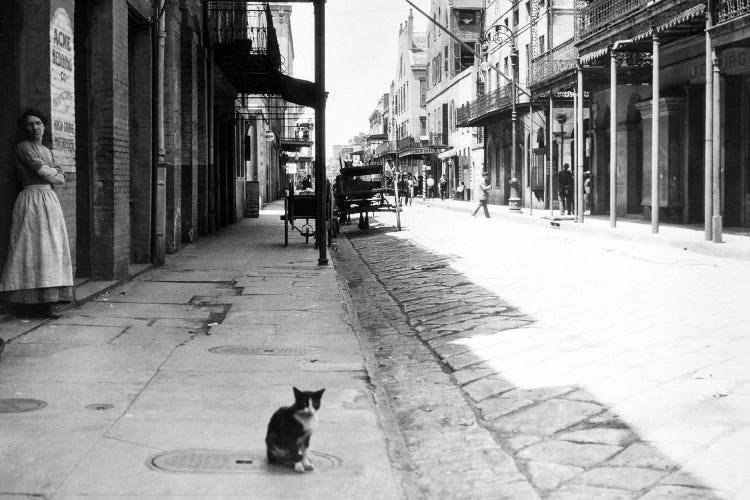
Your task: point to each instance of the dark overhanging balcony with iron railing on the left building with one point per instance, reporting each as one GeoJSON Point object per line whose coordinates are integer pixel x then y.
{"type": "Point", "coordinates": [246, 51]}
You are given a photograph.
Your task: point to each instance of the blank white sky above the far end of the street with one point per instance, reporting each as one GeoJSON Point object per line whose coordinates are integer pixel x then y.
{"type": "Point", "coordinates": [361, 57]}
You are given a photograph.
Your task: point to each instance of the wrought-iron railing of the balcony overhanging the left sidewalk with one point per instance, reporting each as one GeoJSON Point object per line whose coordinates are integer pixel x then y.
{"type": "Point", "coordinates": [234, 21]}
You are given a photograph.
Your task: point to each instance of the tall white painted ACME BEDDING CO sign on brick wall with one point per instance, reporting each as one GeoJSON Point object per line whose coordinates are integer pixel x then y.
{"type": "Point", "coordinates": [62, 91]}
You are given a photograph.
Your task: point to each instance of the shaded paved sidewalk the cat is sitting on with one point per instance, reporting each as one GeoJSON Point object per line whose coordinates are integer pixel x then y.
{"type": "Point", "coordinates": [163, 386]}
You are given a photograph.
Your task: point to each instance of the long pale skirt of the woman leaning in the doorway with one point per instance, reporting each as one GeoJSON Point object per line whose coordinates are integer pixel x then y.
{"type": "Point", "coordinates": [38, 269]}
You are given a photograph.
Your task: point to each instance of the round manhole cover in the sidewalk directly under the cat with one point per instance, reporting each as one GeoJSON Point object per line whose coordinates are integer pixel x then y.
{"type": "Point", "coordinates": [231, 462]}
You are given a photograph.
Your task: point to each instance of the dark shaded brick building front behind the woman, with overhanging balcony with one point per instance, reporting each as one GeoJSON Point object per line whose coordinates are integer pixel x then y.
{"type": "Point", "coordinates": [145, 106]}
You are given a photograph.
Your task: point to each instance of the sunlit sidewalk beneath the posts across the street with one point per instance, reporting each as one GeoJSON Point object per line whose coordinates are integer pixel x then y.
{"type": "Point", "coordinates": [690, 238]}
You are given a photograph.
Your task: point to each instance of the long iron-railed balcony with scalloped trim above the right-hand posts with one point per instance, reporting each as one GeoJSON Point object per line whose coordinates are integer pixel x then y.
{"type": "Point", "coordinates": [601, 22]}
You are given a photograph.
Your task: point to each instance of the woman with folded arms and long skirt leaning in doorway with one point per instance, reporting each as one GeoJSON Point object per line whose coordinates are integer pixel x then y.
{"type": "Point", "coordinates": [38, 273]}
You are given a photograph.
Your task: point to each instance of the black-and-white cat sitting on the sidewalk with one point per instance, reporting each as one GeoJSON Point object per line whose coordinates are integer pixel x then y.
{"type": "Point", "coordinates": [290, 428]}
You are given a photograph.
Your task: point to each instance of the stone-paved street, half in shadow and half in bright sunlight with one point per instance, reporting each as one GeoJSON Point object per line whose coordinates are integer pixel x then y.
{"type": "Point", "coordinates": [545, 365]}
